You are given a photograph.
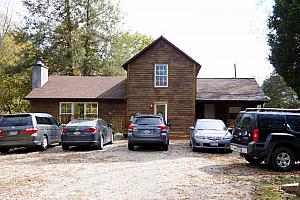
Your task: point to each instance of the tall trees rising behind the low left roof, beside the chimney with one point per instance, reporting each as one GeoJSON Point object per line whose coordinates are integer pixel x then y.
{"type": "Point", "coordinates": [72, 35]}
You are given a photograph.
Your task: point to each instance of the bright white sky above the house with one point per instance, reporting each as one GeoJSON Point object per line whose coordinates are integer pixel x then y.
{"type": "Point", "coordinates": [215, 33]}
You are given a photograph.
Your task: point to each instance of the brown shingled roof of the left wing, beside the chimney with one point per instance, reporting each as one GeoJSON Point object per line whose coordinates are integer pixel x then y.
{"type": "Point", "coordinates": [81, 87]}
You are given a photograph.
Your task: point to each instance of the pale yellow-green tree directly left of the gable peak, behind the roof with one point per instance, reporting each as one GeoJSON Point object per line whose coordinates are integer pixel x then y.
{"type": "Point", "coordinates": [121, 49]}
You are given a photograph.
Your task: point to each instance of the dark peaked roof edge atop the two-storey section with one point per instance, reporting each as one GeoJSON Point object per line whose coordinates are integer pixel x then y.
{"type": "Point", "coordinates": [161, 38]}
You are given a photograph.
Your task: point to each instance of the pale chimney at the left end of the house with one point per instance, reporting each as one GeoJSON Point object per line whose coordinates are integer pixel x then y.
{"type": "Point", "coordinates": [39, 74]}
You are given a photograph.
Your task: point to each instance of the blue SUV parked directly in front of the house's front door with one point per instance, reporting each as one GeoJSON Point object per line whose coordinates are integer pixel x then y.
{"type": "Point", "coordinates": [148, 130]}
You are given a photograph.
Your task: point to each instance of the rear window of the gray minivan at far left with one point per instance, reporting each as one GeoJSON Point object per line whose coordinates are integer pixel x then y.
{"type": "Point", "coordinates": [16, 120]}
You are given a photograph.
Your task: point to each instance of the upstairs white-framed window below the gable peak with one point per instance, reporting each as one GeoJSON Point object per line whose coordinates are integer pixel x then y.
{"type": "Point", "coordinates": [161, 75]}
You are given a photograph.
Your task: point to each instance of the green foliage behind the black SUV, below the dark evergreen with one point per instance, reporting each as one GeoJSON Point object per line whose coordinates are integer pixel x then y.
{"type": "Point", "coordinates": [281, 95]}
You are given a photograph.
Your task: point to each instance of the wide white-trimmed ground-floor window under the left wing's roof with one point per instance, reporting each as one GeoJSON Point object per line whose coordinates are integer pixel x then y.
{"type": "Point", "coordinates": [71, 110]}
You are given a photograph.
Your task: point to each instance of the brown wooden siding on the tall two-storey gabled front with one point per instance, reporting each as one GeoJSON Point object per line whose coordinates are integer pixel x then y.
{"type": "Point", "coordinates": [180, 93]}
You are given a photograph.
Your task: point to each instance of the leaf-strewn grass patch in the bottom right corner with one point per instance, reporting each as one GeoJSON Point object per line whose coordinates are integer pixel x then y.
{"type": "Point", "coordinates": [271, 188]}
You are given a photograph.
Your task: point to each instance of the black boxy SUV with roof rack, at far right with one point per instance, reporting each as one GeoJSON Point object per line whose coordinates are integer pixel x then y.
{"type": "Point", "coordinates": [270, 135]}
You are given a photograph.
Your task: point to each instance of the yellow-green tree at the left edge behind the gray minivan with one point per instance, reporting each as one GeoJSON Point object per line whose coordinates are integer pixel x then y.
{"type": "Point", "coordinates": [15, 75]}
